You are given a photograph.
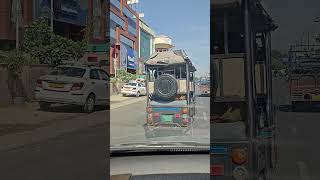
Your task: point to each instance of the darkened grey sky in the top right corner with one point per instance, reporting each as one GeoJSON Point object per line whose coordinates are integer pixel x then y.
{"type": "Point", "coordinates": [295, 20]}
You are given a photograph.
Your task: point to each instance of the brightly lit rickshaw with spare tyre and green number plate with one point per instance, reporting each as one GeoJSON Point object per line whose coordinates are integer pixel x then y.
{"type": "Point", "coordinates": [170, 94]}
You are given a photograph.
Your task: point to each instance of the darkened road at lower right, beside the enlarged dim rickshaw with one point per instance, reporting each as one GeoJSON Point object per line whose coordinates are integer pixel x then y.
{"type": "Point", "coordinates": [298, 132]}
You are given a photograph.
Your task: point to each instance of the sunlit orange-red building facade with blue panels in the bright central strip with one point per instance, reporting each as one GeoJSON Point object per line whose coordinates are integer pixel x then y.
{"type": "Point", "coordinates": [124, 37]}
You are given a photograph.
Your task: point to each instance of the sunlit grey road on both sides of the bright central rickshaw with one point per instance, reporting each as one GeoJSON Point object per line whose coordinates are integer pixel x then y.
{"type": "Point", "coordinates": [127, 122]}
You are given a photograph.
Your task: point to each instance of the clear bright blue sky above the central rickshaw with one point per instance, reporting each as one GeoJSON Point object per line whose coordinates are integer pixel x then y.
{"type": "Point", "coordinates": [187, 22]}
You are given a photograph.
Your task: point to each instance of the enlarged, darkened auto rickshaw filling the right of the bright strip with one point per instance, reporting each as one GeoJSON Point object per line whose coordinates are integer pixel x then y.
{"type": "Point", "coordinates": [242, 111]}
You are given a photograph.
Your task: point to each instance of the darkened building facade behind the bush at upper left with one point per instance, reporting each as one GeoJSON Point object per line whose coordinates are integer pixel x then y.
{"type": "Point", "coordinates": [70, 18]}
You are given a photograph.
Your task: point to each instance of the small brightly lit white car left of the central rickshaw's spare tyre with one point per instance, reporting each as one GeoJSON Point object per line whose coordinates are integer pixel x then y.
{"type": "Point", "coordinates": [133, 88]}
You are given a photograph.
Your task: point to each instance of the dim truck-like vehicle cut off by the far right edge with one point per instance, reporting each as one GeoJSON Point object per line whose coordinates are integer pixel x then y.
{"type": "Point", "coordinates": [304, 77]}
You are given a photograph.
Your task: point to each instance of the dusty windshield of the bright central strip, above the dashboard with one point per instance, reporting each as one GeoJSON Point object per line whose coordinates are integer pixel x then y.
{"type": "Point", "coordinates": [164, 106]}
